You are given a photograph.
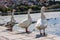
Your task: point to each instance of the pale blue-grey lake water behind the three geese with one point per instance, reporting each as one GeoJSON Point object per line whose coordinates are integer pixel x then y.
{"type": "Point", "coordinates": [53, 22]}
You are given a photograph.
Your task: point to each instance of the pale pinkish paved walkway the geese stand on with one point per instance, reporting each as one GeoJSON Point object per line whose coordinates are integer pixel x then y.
{"type": "Point", "coordinates": [5, 35]}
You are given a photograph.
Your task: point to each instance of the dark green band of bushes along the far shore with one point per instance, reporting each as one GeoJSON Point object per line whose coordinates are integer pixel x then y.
{"type": "Point", "coordinates": [25, 8]}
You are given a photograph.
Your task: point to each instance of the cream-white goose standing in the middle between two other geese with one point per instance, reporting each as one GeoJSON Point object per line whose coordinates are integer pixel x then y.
{"type": "Point", "coordinates": [27, 22]}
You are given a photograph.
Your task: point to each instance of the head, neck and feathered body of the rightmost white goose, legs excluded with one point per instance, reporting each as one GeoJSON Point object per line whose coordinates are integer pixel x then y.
{"type": "Point", "coordinates": [42, 23]}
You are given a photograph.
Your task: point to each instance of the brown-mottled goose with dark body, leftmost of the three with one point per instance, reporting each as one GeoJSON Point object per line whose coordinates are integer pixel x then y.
{"type": "Point", "coordinates": [11, 23]}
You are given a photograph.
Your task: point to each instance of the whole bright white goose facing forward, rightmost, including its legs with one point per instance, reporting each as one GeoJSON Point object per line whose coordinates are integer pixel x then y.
{"type": "Point", "coordinates": [42, 23]}
